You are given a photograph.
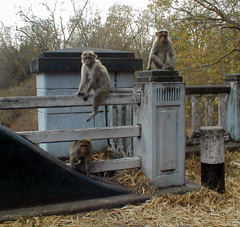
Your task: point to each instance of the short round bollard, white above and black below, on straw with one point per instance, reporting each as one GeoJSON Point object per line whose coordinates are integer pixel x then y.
{"type": "Point", "coordinates": [212, 158]}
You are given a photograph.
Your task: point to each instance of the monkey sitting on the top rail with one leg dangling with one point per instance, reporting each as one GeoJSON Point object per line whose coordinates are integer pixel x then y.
{"type": "Point", "coordinates": [94, 77]}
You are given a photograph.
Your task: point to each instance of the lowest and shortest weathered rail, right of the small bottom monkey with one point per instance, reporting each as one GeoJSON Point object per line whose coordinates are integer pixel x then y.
{"type": "Point", "coordinates": [115, 164]}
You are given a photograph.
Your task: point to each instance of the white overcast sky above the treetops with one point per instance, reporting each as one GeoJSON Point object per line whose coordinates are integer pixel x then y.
{"type": "Point", "coordinates": [9, 9]}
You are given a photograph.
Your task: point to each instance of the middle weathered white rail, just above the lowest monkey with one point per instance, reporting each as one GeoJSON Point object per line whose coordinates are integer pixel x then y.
{"type": "Point", "coordinates": [76, 134]}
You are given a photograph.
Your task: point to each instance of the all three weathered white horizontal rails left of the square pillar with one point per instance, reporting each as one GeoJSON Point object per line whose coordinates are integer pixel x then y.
{"type": "Point", "coordinates": [116, 132]}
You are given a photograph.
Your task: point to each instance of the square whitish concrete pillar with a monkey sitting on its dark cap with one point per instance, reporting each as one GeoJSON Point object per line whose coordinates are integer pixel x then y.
{"type": "Point", "coordinates": [162, 117]}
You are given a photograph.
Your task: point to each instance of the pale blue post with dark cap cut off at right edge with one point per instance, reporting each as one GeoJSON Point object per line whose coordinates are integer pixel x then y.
{"type": "Point", "coordinates": [233, 106]}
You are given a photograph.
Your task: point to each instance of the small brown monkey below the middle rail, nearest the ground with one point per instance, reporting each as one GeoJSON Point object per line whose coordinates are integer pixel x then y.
{"type": "Point", "coordinates": [81, 150]}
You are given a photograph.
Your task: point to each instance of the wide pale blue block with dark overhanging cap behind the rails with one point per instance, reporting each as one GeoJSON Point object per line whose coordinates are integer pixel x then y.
{"type": "Point", "coordinates": [58, 73]}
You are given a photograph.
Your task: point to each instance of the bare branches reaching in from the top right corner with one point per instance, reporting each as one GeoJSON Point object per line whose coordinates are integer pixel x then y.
{"type": "Point", "coordinates": [213, 14]}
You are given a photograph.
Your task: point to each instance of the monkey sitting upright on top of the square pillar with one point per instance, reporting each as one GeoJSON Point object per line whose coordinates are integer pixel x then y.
{"type": "Point", "coordinates": [162, 53]}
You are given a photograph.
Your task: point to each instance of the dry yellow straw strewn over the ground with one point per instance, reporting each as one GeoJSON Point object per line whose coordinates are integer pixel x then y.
{"type": "Point", "coordinates": [201, 208]}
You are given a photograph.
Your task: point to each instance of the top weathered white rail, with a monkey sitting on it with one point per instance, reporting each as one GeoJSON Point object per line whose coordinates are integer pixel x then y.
{"type": "Point", "coordinates": [25, 102]}
